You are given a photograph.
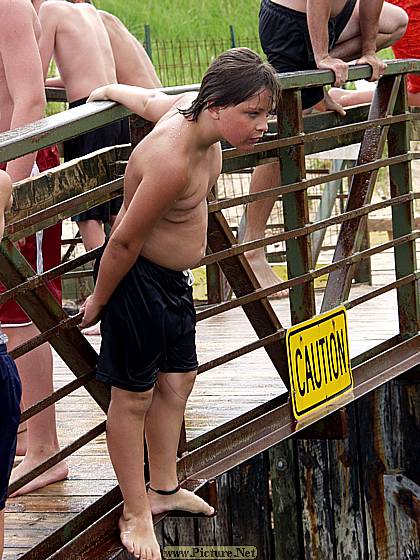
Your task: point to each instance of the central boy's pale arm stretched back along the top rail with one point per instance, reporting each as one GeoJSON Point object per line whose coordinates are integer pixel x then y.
{"type": "Point", "coordinates": [150, 104]}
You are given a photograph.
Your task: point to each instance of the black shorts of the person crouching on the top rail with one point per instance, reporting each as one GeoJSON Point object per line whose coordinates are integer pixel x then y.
{"type": "Point", "coordinates": [285, 39]}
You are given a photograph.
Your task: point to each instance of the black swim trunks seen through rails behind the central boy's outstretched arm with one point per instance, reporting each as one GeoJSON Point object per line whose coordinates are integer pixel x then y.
{"type": "Point", "coordinates": [112, 134]}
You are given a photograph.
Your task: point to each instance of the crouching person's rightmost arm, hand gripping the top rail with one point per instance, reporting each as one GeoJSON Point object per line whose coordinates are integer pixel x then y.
{"type": "Point", "coordinates": [369, 13]}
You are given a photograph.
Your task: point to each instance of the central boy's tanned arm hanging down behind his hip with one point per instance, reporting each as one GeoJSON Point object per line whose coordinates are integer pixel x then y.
{"type": "Point", "coordinates": [158, 188]}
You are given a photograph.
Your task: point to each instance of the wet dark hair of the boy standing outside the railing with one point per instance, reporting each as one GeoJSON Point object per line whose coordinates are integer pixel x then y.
{"type": "Point", "coordinates": [233, 77]}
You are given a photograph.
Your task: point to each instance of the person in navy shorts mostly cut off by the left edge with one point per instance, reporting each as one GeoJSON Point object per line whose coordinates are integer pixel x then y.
{"type": "Point", "coordinates": [10, 388]}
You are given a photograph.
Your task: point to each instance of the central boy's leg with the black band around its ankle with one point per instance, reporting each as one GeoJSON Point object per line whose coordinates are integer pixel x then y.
{"type": "Point", "coordinates": [163, 427]}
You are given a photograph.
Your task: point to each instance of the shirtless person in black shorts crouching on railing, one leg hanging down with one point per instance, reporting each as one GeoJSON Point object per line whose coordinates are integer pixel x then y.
{"type": "Point", "coordinates": [304, 35]}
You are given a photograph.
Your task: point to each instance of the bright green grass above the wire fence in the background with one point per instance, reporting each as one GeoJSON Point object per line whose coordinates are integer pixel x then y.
{"type": "Point", "coordinates": [186, 19]}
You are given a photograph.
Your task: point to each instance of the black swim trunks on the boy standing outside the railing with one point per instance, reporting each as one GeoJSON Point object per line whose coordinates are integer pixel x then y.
{"type": "Point", "coordinates": [147, 327]}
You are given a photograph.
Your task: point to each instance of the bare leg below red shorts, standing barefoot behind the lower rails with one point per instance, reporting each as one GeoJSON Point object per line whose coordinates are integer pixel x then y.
{"type": "Point", "coordinates": [36, 372]}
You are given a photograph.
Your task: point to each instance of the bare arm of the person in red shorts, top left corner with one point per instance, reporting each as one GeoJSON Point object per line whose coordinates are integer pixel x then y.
{"type": "Point", "coordinates": [23, 71]}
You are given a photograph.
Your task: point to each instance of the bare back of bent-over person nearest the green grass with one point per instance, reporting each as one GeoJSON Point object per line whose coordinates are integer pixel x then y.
{"type": "Point", "coordinates": [132, 63]}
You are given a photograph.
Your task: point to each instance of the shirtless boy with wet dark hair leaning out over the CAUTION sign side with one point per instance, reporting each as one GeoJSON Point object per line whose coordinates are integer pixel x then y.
{"type": "Point", "coordinates": [143, 294]}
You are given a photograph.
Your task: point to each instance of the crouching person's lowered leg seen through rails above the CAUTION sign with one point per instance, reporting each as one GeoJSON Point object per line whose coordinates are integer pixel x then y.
{"type": "Point", "coordinates": [257, 214]}
